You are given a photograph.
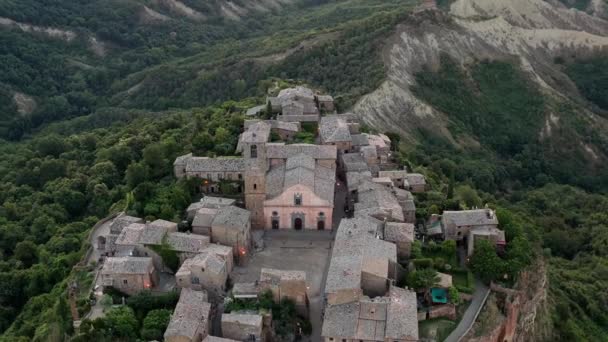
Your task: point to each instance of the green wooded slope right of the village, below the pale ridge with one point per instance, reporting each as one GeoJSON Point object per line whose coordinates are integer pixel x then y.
{"type": "Point", "coordinates": [514, 165]}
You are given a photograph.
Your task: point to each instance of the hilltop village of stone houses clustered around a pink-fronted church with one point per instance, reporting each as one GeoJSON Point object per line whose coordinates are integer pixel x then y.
{"type": "Point", "coordinates": [327, 227]}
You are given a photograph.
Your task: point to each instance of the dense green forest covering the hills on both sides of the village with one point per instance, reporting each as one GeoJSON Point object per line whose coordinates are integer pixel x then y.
{"type": "Point", "coordinates": [108, 124]}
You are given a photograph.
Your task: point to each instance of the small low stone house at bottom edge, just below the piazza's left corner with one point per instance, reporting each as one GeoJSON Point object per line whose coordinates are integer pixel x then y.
{"type": "Point", "coordinates": [243, 327]}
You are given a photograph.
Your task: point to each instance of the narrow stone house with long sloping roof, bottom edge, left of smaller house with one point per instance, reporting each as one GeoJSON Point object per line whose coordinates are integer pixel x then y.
{"type": "Point", "coordinates": [191, 319]}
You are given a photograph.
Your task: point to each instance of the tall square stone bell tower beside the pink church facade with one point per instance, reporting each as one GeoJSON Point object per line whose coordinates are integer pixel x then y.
{"type": "Point", "coordinates": [253, 143]}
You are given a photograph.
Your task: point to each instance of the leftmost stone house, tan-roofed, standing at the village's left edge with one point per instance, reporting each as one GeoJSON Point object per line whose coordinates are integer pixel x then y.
{"type": "Point", "coordinates": [129, 274]}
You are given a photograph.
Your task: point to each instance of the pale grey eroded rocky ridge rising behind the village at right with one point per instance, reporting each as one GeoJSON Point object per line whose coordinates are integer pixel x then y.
{"type": "Point", "coordinates": [531, 32]}
